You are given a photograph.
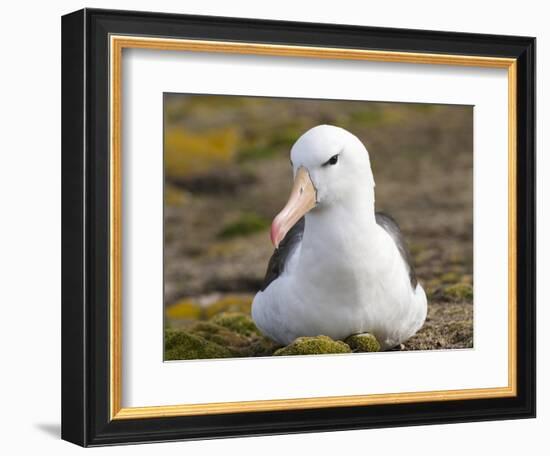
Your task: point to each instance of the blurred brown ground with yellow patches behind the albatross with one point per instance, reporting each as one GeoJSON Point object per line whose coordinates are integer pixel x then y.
{"type": "Point", "coordinates": [227, 173]}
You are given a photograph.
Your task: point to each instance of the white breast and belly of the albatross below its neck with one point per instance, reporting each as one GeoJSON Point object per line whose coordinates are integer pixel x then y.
{"type": "Point", "coordinates": [342, 285]}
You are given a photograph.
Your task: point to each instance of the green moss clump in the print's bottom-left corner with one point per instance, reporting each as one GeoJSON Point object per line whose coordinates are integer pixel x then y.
{"type": "Point", "coordinates": [184, 345]}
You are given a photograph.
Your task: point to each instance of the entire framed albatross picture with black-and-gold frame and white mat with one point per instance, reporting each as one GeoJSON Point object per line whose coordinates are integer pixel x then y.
{"type": "Point", "coordinates": [278, 227]}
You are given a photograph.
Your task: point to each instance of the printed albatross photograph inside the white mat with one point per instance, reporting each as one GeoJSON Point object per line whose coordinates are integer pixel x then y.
{"type": "Point", "coordinates": [316, 227]}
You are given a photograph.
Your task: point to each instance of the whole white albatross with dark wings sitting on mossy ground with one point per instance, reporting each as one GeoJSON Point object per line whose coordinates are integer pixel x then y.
{"type": "Point", "coordinates": [339, 268]}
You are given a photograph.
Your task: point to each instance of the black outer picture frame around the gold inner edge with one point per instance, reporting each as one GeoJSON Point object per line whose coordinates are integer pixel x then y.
{"type": "Point", "coordinates": [85, 227]}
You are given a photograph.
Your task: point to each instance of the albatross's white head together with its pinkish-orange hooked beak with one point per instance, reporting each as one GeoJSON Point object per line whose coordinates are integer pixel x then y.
{"type": "Point", "coordinates": [331, 167]}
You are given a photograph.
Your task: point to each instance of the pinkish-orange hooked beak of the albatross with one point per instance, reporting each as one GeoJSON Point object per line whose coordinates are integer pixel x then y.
{"type": "Point", "coordinates": [303, 198]}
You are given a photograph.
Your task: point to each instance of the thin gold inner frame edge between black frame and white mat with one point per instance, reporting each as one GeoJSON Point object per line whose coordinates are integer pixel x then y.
{"type": "Point", "coordinates": [117, 44]}
